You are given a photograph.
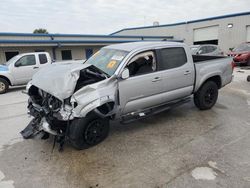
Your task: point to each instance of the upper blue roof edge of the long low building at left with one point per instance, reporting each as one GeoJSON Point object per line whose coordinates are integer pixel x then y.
{"type": "Point", "coordinates": [78, 35]}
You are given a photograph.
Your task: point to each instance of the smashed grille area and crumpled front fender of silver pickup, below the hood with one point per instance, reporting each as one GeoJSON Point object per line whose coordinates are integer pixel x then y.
{"type": "Point", "coordinates": [53, 116]}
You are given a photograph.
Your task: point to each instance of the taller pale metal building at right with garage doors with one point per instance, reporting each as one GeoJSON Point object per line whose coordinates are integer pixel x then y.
{"type": "Point", "coordinates": [227, 31]}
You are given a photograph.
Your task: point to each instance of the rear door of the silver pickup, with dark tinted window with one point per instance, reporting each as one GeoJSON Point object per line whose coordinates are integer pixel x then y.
{"type": "Point", "coordinates": [178, 73]}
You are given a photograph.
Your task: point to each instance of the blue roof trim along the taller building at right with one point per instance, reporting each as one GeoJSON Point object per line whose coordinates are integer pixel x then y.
{"type": "Point", "coordinates": [187, 22]}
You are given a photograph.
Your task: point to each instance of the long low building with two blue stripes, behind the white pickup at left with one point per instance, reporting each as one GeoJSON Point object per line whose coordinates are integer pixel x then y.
{"type": "Point", "coordinates": [62, 46]}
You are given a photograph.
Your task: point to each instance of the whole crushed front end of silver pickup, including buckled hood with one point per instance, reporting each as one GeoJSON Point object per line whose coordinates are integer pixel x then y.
{"type": "Point", "coordinates": [62, 94]}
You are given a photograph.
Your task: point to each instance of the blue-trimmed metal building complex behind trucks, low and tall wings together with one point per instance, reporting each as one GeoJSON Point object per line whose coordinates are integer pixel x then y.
{"type": "Point", "coordinates": [227, 31]}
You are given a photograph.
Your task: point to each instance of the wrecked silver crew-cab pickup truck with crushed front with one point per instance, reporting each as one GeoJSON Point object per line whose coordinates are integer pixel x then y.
{"type": "Point", "coordinates": [124, 82]}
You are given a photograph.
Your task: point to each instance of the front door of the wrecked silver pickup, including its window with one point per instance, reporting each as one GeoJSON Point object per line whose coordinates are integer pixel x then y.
{"type": "Point", "coordinates": [142, 88]}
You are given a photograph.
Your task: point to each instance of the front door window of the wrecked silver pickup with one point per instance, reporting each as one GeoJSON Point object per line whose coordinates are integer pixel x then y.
{"type": "Point", "coordinates": [142, 63]}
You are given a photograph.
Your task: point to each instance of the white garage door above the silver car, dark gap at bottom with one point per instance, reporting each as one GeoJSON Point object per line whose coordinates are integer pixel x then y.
{"type": "Point", "coordinates": [207, 35]}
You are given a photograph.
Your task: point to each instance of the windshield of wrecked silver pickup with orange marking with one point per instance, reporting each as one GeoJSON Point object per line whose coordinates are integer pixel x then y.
{"type": "Point", "coordinates": [107, 60]}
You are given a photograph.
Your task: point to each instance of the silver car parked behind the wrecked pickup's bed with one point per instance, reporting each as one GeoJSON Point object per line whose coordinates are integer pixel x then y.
{"type": "Point", "coordinates": [206, 49]}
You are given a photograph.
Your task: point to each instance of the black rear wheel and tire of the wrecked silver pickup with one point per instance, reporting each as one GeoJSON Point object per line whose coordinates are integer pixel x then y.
{"type": "Point", "coordinates": [206, 97]}
